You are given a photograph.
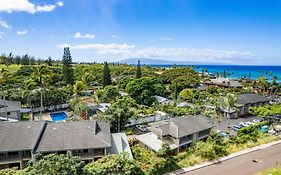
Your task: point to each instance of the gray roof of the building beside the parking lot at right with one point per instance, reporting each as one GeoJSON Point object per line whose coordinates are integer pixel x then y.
{"type": "Point", "coordinates": [251, 98]}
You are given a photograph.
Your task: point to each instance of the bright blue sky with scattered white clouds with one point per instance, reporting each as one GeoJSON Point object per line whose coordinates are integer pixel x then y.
{"type": "Point", "coordinates": [205, 31]}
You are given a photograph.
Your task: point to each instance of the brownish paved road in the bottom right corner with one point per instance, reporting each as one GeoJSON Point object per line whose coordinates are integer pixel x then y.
{"type": "Point", "coordinates": [243, 165]}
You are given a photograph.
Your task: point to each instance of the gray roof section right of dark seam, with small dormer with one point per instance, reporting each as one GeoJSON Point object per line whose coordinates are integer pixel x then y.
{"type": "Point", "coordinates": [75, 135]}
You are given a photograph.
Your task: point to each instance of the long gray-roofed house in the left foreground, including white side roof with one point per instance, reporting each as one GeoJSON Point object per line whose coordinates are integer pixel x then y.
{"type": "Point", "coordinates": [89, 140]}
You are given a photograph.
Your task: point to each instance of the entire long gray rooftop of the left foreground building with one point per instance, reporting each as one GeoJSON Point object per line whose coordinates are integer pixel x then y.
{"type": "Point", "coordinates": [42, 136]}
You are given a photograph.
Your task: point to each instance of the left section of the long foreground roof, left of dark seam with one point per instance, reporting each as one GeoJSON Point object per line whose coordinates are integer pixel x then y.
{"type": "Point", "coordinates": [15, 136]}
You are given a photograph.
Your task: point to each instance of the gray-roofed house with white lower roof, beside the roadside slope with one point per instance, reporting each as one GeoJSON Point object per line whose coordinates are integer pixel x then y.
{"type": "Point", "coordinates": [178, 133]}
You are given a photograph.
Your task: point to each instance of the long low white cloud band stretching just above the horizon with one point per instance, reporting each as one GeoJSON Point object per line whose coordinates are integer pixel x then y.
{"type": "Point", "coordinates": [128, 50]}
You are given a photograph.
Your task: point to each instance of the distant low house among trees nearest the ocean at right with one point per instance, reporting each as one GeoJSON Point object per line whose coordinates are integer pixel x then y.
{"type": "Point", "coordinates": [223, 82]}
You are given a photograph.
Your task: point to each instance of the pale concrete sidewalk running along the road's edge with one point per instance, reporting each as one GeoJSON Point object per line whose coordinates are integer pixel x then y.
{"type": "Point", "coordinates": [237, 154]}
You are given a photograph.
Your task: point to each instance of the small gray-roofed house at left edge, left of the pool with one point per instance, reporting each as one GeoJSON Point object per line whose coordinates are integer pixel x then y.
{"type": "Point", "coordinates": [12, 108]}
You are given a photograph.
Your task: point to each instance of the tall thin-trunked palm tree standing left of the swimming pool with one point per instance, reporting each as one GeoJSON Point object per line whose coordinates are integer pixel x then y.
{"type": "Point", "coordinates": [40, 74]}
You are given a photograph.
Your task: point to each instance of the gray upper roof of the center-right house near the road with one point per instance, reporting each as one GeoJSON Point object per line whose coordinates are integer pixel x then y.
{"type": "Point", "coordinates": [182, 126]}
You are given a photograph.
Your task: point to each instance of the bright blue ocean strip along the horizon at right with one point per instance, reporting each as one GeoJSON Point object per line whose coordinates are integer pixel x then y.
{"type": "Point", "coordinates": [237, 71]}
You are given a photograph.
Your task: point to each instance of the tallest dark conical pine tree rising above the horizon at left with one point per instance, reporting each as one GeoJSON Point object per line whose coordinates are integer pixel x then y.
{"type": "Point", "coordinates": [67, 68]}
